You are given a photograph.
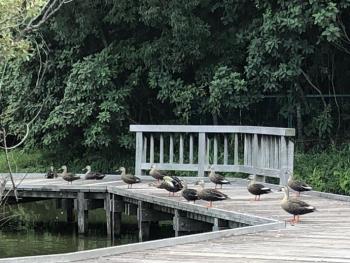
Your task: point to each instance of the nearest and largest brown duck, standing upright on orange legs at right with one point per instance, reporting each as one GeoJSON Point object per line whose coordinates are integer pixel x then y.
{"type": "Point", "coordinates": [295, 206]}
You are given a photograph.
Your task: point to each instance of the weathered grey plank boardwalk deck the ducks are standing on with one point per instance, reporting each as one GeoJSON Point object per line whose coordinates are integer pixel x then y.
{"type": "Point", "coordinates": [323, 236]}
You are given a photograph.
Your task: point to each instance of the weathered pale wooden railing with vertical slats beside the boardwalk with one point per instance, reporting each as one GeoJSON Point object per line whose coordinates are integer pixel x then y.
{"type": "Point", "coordinates": [264, 151]}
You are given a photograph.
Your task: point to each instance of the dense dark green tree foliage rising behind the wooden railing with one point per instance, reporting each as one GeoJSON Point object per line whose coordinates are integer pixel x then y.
{"type": "Point", "coordinates": [114, 63]}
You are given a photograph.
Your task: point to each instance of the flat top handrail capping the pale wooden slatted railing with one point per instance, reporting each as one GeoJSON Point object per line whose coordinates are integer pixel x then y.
{"type": "Point", "coordinates": [214, 129]}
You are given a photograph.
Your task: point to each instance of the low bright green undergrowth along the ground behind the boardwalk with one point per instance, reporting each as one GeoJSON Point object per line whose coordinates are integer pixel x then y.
{"type": "Point", "coordinates": [327, 170]}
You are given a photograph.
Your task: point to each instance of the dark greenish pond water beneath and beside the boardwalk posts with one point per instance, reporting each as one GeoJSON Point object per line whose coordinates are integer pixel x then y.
{"type": "Point", "coordinates": [38, 228]}
